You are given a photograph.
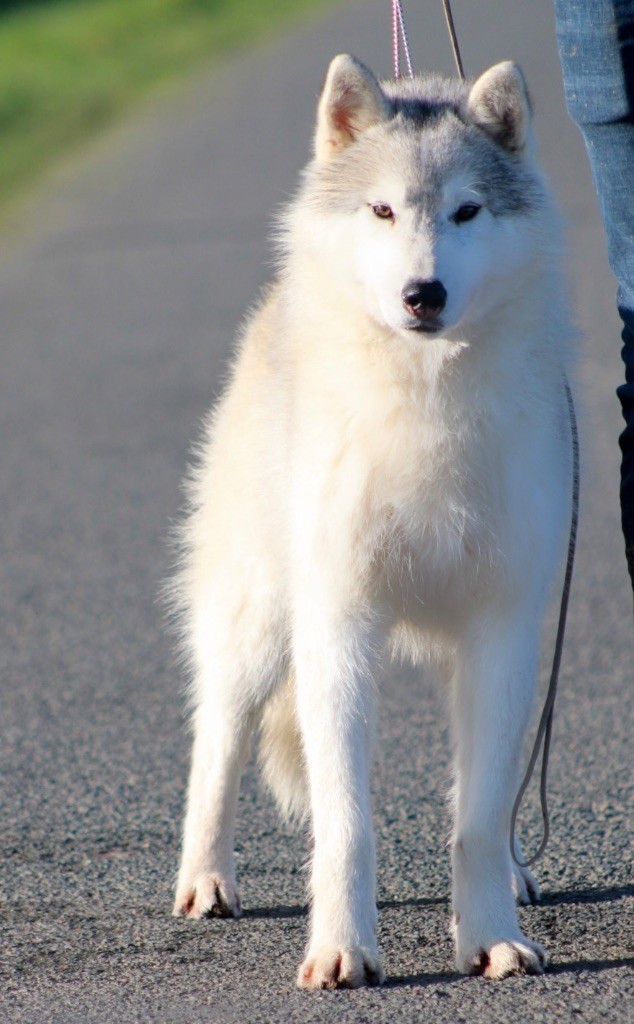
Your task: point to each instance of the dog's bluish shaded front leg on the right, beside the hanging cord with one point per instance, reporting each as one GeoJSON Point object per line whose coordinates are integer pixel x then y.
{"type": "Point", "coordinates": [493, 693]}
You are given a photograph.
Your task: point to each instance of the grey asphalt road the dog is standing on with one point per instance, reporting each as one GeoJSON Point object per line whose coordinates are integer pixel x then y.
{"type": "Point", "coordinates": [121, 284]}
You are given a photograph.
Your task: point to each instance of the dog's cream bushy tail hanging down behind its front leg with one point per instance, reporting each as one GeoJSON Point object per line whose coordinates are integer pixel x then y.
{"type": "Point", "coordinates": [281, 754]}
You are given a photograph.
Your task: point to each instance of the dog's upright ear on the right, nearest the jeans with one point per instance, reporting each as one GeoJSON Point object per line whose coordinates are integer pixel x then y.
{"type": "Point", "coordinates": [500, 105]}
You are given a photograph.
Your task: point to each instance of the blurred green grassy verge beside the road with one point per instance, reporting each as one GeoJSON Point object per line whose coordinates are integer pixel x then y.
{"type": "Point", "coordinates": [69, 67]}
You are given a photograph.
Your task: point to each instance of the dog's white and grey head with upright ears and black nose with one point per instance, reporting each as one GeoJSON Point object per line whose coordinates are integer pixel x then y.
{"type": "Point", "coordinates": [424, 197]}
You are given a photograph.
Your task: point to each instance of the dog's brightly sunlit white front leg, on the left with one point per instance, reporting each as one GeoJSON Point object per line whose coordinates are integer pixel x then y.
{"type": "Point", "coordinates": [335, 694]}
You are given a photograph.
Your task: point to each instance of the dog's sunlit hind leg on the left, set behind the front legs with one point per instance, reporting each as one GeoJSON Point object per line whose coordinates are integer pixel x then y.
{"type": "Point", "coordinates": [240, 662]}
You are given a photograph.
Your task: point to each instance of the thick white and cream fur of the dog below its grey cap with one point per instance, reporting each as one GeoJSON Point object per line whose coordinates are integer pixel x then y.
{"type": "Point", "coordinates": [362, 489]}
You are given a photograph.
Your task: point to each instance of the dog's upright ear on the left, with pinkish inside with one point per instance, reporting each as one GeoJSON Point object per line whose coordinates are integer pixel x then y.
{"type": "Point", "coordinates": [352, 102]}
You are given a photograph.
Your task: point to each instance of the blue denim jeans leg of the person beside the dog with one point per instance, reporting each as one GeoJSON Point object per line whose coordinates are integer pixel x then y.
{"type": "Point", "coordinates": [597, 50]}
